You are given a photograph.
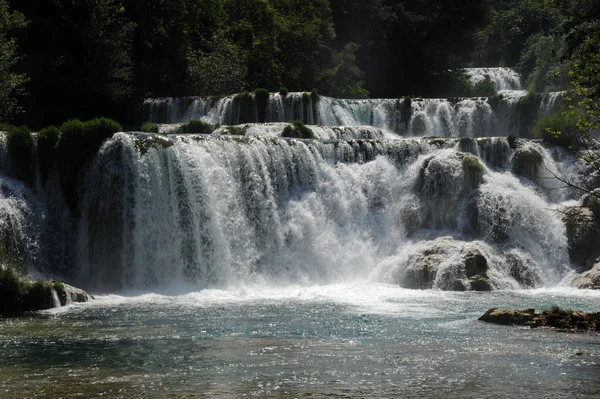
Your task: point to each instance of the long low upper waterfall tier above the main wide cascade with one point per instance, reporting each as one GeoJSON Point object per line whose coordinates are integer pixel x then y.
{"type": "Point", "coordinates": [508, 112]}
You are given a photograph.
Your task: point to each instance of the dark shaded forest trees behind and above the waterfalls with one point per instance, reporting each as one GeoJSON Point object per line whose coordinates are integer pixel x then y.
{"type": "Point", "coordinates": [62, 59]}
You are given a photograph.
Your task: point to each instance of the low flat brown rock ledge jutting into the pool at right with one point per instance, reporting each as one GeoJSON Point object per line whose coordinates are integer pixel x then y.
{"type": "Point", "coordinates": [555, 318]}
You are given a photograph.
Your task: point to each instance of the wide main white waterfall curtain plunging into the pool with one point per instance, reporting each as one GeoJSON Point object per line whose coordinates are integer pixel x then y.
{"type": "Point", "coordinates": [206, 211]}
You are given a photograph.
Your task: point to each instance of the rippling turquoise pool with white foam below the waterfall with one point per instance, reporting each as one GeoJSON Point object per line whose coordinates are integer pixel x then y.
{"type": "Point", "coordinates": [341, 341]}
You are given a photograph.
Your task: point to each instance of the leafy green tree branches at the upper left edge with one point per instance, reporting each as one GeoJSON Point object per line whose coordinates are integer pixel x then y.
{"type": "Point", "coordinates": [11, 83]}
